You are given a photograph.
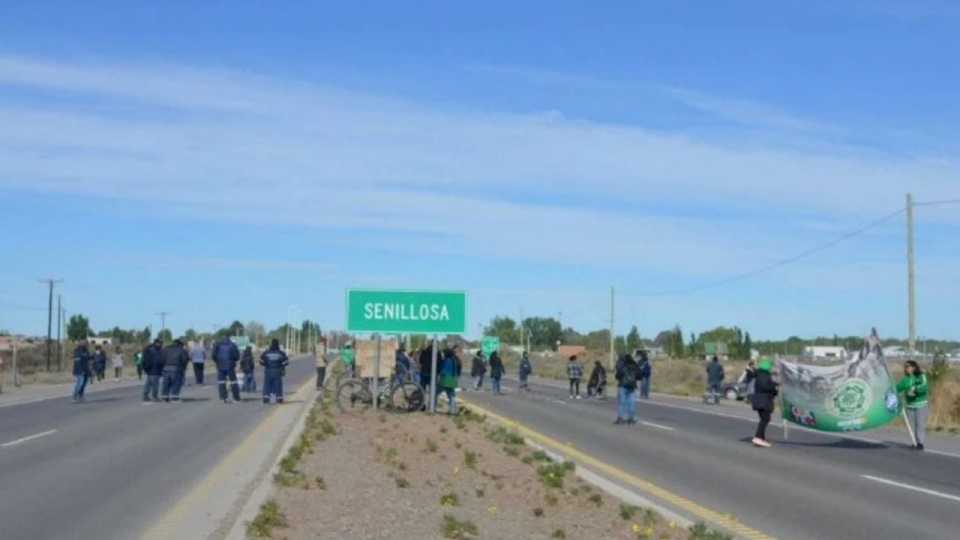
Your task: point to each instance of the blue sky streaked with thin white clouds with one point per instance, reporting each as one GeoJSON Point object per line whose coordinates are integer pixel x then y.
{"type": "Point", "coordinates": [227, 162]}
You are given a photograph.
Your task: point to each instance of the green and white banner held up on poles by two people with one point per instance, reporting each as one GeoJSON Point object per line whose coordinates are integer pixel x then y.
{"type": "Point", "coordinates": [857, 395]}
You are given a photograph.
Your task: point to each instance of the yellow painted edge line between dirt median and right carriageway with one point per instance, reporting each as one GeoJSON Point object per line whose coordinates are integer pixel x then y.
{"type": "Point", "coordinates": [710, 516]}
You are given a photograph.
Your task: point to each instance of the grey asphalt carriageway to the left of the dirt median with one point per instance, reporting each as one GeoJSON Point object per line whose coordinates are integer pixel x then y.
{"type": "Point", "coordinates": [109, 467]}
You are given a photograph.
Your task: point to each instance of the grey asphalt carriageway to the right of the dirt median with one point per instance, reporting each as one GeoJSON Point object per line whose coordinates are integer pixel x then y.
{"type": "Point", "coordinates": [812, 486]}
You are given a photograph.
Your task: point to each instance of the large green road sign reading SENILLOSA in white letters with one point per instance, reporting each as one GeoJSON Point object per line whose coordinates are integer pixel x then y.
{"type": "Point", "coordinates": [406, 312]}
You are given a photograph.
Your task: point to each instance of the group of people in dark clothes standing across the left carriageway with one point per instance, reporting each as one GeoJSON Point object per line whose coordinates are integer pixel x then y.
{"type": "Point", "coordinates": [165, 368]}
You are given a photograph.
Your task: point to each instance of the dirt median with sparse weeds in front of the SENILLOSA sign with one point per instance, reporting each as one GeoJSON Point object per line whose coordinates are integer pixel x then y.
{"type": "Point", "coordinates": [417, 476]}
